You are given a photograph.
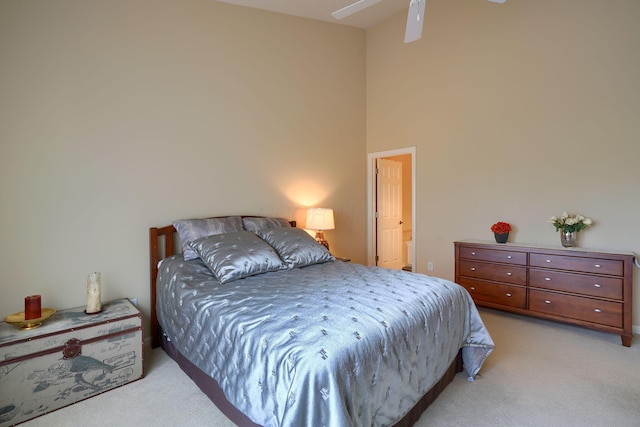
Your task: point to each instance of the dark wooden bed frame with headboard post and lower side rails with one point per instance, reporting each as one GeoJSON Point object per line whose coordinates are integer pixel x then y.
{"type": "Point", "coordinates": [163, 242]}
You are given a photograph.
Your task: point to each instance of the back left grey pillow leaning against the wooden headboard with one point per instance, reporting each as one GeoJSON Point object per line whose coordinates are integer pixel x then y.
{"type": "Point", "coordinates": [193, 229]}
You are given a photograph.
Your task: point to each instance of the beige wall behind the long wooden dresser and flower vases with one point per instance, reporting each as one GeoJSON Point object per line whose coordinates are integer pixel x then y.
{"type": "Point", "coordinates": [518, 112]}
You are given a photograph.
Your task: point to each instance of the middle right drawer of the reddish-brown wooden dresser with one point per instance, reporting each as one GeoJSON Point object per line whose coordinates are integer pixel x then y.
{"type": "Point", "coordinates": [597, 286]}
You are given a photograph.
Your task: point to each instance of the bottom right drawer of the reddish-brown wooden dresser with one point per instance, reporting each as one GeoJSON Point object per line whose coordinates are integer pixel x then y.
{"type": "Point", "coordinates": [574, 307]}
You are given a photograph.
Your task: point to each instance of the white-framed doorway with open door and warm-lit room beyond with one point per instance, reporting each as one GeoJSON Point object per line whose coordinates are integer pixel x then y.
{"type": "Point", "coordinates": [388, 244]}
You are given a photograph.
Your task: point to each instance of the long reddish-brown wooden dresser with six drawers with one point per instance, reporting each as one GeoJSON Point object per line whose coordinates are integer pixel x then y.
{"type": "Point", "coordinates": [570, 285]}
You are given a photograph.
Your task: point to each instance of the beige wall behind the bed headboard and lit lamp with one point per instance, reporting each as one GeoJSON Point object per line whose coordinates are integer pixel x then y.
{"type": "Point", "coordinates": [116, 116]}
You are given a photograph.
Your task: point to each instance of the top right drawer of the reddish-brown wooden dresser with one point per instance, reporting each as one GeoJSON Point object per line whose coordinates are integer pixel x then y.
{"type": "Point", "coordinates": [587, 265]}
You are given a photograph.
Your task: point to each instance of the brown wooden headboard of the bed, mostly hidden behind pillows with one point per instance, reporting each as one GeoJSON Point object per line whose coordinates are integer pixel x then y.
{"type": "Point", "coordinates": [163, 243]}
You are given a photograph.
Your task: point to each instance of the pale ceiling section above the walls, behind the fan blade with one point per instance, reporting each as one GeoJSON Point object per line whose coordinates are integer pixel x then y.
{"type": "Point", "coordinates": [321, 9]}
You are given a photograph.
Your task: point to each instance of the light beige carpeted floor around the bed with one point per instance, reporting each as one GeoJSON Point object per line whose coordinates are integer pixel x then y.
{"type": "Point", "coordinates": [541, 374]}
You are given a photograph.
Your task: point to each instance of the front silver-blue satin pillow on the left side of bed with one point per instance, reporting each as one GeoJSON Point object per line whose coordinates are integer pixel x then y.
{"type": "Point", "coordinates": [232, 256]}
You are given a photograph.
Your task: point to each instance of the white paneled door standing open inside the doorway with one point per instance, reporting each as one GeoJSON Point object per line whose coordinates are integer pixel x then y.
{"type": "Point", "coordinates": [389, 213]}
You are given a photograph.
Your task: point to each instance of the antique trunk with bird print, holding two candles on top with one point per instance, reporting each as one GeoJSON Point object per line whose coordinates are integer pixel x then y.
{"type": "Point", "coordinates": [72, 356]}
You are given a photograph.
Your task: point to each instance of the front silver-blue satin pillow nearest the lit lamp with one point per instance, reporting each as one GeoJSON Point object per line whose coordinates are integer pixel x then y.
{"type": "Point", "coordinates": [295, 246]}
